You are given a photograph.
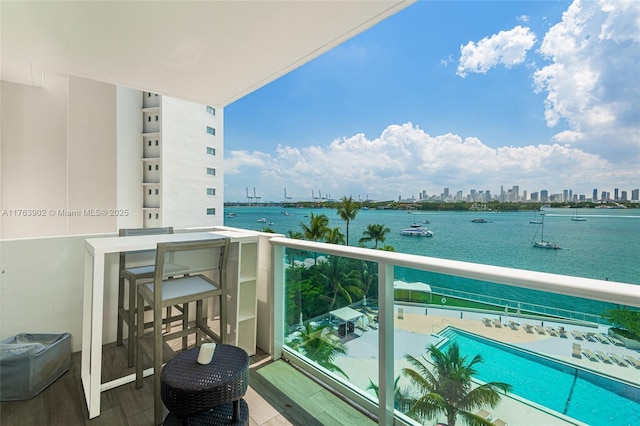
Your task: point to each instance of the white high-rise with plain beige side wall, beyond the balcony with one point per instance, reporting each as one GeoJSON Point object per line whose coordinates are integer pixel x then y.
{"type": "Point", "coordinates": [81, 156]}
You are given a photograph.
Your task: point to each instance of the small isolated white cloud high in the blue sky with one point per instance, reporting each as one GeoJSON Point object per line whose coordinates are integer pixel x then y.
{"type": "Point", "coordinates": [508, 48]}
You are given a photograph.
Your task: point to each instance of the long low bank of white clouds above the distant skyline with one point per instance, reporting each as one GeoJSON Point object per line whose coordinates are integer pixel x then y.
{"type": "Point", "coordinates": [405, 160]}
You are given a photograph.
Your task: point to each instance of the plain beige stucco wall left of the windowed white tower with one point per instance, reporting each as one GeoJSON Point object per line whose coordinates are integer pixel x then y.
{"type": "Point", "coordinates": [58, 157]}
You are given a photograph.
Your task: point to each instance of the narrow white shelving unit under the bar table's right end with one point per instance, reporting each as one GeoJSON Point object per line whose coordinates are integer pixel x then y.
{"type": "Point", "coordinates": [242, 302]}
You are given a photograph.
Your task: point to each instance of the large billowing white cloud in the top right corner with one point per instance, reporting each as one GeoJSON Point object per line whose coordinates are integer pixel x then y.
{"type": "Point", "coordinates": [592, 82]}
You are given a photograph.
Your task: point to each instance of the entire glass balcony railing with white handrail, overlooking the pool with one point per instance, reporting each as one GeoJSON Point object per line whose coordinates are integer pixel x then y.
{"type": "Point", "coordinates": [521, 329]}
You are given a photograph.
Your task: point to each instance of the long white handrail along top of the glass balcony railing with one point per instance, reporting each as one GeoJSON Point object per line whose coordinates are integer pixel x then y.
{"type": "Point", "coordinates": [600, 290]}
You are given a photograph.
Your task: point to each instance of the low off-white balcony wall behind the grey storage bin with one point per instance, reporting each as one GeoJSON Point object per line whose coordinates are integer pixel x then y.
{"type": "Point", "coordinates": [42, 286]}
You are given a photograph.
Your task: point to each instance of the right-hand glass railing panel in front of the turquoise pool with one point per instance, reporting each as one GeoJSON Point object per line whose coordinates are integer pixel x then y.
{"type": "Point", "coordinates": [558, 354]}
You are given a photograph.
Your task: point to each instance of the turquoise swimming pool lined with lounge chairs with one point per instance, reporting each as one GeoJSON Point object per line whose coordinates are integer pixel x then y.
{"type": "Point", "coordinates": [574, 392]}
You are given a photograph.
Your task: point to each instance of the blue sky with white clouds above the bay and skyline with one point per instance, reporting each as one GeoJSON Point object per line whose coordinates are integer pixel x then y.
{"type": "Point", "coordinates": [464, 95]}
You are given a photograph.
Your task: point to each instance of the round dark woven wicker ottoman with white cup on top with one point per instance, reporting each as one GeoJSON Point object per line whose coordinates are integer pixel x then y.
{"type": "Point", "coordinates": [205, 393]}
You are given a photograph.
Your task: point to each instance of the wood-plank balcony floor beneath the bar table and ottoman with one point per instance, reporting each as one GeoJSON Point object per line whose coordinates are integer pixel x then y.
{"type": "Point", "coordinates": [278, 395]}
